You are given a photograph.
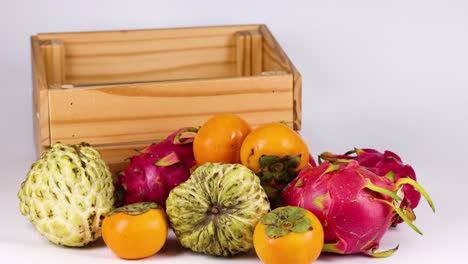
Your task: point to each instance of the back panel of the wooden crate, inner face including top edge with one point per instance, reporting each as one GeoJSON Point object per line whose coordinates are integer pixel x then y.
{"type": "Point", "coordinates": [149, 55]}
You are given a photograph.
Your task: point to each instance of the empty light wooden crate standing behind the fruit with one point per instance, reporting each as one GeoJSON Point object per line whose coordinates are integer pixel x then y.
{"type": "Point", "coordinates": [122, 90]}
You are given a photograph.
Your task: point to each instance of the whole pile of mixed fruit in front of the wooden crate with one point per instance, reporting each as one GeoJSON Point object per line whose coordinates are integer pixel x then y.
{"type": "Point", "coordinates": [223, 189]}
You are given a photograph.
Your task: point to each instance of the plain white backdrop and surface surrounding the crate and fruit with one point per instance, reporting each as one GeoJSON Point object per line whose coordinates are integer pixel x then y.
{"type": "Point", "coordinates": [382, 74]}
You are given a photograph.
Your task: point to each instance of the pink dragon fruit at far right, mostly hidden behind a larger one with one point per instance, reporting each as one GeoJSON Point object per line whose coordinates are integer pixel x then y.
{"type": "Point", "coordinates": [386, 164]}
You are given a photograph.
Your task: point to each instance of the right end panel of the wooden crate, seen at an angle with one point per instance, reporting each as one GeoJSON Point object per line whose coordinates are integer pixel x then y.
{"type": "Point", "coordinates": [275, 59]}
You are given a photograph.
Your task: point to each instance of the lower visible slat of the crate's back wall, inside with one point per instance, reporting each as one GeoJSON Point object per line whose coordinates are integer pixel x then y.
{"type": "Point", "coordinates": [169, 65]}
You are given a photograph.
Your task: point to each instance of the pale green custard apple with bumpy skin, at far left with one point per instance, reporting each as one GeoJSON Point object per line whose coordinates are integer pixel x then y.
{"type": "Point", "coordinates": [67, 193]}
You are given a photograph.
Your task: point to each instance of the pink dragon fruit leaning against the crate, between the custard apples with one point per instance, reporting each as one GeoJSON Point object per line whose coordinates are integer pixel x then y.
{"type": "Point", "coordinates": [159, 168]}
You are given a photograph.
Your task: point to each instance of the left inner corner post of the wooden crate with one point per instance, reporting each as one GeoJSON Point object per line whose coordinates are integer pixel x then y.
{"type": "Point", "coordinates": [53, 52]}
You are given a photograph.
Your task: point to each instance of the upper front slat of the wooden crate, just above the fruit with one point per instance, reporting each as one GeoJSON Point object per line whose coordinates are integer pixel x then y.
{"type": "Point", "coordinates": [140, 112]}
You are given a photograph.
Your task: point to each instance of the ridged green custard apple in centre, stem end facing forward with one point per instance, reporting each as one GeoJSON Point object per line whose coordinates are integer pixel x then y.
{"type": "Point", "coordinates": [215, 211]}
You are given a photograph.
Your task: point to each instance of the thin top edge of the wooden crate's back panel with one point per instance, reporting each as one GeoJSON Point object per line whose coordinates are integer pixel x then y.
{"type": "Point", "coordinates": [146, 34]}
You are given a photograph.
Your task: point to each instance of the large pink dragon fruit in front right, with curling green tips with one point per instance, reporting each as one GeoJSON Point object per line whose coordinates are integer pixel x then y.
{"type": "Point", "coordinates": [354, 205]}
